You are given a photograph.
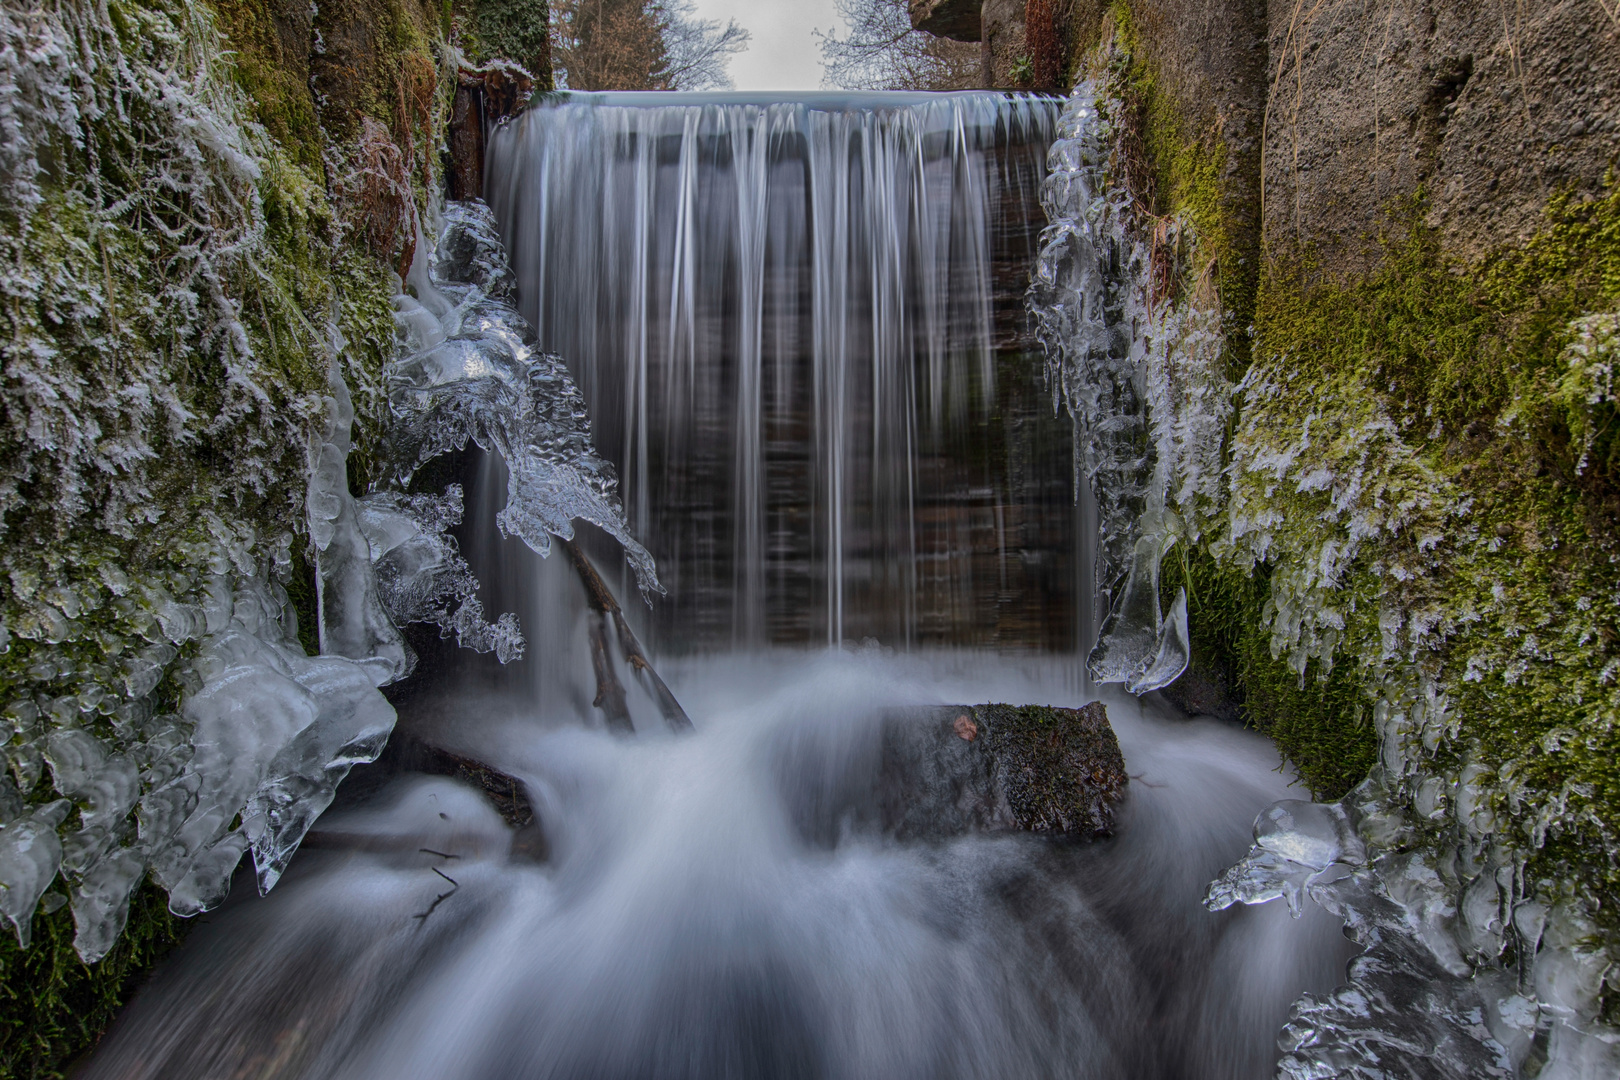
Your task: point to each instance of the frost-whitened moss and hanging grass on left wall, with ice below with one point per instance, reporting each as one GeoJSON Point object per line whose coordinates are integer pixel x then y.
{"type": "Point", "coordinates": [155, 451]}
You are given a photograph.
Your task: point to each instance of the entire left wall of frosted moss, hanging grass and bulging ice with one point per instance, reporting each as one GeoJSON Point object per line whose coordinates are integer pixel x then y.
{"type": "Point", "coordinates": [200, 305]}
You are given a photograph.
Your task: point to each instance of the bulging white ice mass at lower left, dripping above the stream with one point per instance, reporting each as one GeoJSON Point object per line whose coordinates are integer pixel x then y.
{"type": "Point", "coordinates": [249, 762]}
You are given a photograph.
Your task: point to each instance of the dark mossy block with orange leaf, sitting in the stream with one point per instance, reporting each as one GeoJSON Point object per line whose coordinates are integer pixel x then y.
{"type": "Point", "coordinates": [1000, 768]}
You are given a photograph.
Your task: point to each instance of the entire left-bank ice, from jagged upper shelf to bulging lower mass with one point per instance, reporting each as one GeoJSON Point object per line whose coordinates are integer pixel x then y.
{"type": "Point", "coordinates": [265, 733]}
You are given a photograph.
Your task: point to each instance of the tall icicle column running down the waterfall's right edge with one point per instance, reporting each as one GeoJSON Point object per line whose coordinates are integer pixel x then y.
{"type": "Point", "coordinates": [1141, 376]}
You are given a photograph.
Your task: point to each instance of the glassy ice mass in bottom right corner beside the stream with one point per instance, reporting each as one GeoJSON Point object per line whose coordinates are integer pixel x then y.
{"type": "Point", "coordinates": [1413, 1005]}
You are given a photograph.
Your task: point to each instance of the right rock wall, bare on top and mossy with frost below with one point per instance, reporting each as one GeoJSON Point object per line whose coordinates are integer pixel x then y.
{"type": "Point", "coordinates": [1410, 221]}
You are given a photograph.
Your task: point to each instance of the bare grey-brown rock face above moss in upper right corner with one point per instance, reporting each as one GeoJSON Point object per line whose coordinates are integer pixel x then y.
{"type": "Point", "coordinates": [1490, 109]}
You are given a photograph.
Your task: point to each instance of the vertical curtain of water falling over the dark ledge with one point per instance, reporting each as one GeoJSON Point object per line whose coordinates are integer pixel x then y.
{"type": "Point", "coordinates": [793, 323]}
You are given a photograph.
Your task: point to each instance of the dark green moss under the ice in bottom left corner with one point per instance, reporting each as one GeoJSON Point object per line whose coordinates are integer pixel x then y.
{"type": "Point", "coordinates": [53, 1006]}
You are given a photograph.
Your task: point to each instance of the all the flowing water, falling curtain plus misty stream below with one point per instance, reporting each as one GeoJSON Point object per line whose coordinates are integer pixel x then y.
{"type": "Point", "coordinates": [804, 349]}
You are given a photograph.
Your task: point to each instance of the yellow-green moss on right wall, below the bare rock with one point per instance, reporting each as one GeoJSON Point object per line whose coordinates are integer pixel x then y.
{"type": "Point", "coordinates": [1519, 592]}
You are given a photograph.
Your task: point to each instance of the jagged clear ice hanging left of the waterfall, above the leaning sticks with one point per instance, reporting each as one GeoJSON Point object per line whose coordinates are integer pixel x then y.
{"type": "Point", "coordinates": [471, 372]}
